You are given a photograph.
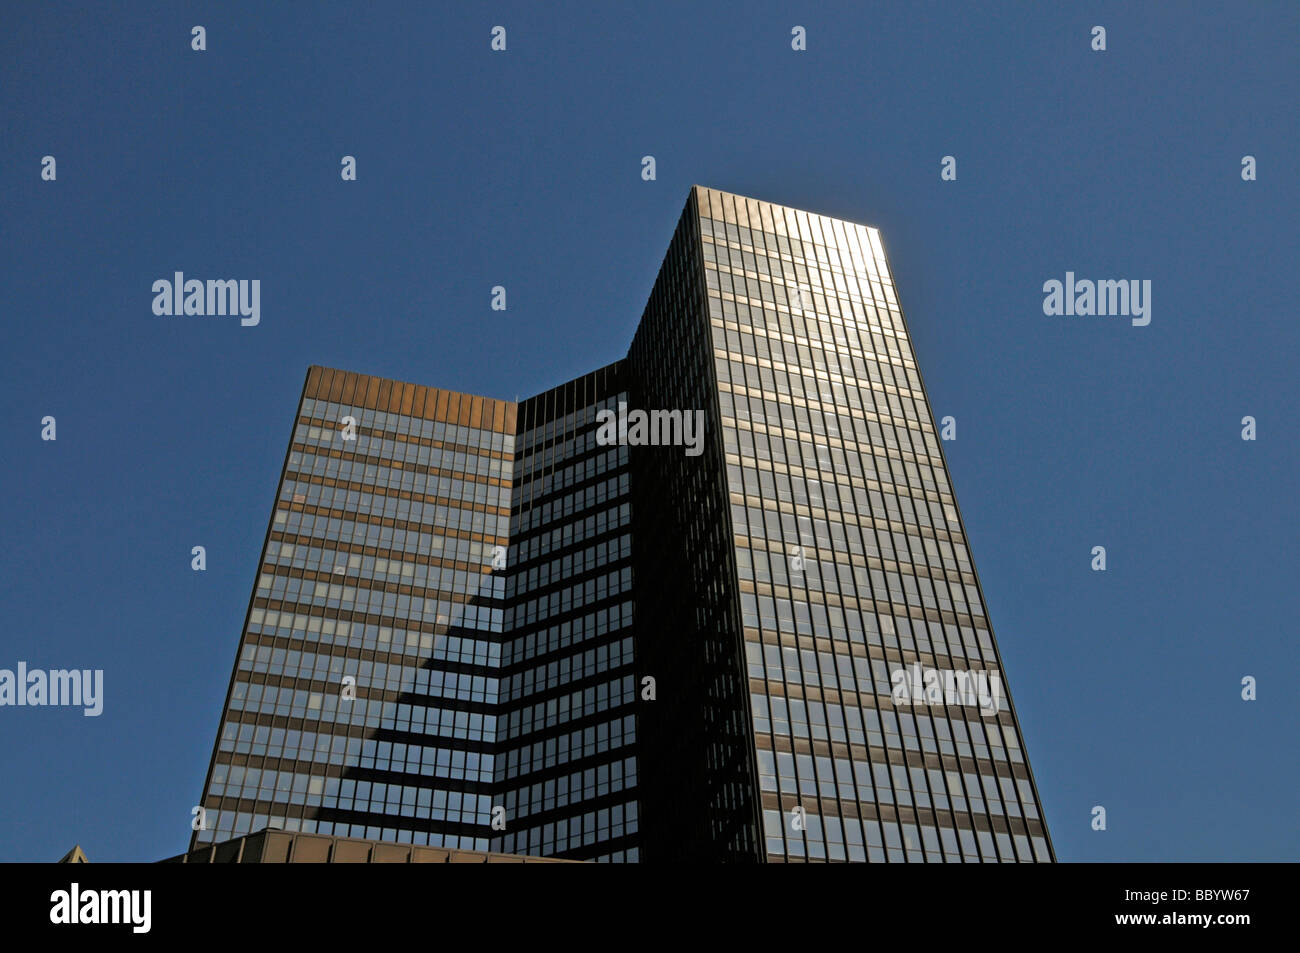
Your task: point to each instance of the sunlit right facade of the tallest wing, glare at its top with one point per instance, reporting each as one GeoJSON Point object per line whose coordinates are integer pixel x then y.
{"type": "Point", "coordinates": [851, 558]}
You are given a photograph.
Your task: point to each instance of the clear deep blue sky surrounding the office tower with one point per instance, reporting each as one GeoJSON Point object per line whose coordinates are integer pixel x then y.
{"type": "Point", "coordinates": [523, 170]}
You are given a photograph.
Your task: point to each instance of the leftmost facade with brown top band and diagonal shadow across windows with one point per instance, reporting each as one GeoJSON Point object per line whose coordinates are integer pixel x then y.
{"type": "Point", "coordinates": [366, 692]}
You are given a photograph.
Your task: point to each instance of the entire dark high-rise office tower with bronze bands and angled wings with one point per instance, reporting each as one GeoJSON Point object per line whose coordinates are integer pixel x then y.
{"type": "Point", "coordinates": [710, 603]}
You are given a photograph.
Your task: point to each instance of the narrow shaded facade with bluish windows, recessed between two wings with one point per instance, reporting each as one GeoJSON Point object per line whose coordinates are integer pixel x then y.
{"type": "Point", "coordinates": [567, 768]}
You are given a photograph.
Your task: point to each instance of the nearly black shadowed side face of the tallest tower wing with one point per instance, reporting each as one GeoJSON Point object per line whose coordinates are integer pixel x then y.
{"type": "Point", "coordinates": [700, 781]}
